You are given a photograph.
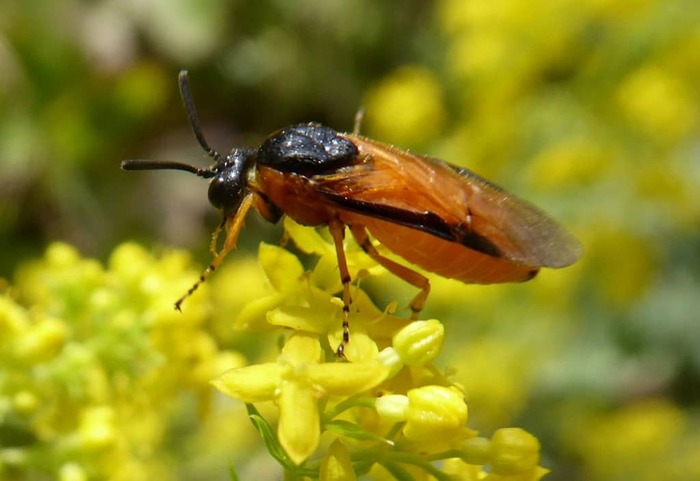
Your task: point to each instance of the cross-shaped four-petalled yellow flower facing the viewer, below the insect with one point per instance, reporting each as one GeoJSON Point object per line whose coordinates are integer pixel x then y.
{"type": "Point", "coordinates": [297, 381]}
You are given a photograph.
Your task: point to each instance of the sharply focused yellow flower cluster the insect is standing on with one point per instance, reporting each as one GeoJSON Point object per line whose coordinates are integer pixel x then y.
{"type": "Point", "coordinates": [387, 410]}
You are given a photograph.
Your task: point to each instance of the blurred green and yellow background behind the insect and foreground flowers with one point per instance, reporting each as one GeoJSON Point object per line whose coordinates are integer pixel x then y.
{"type": "Point", "coordinates": [589, 108]}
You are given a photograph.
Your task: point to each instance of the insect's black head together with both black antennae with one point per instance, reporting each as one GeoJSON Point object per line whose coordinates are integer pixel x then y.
{"type": "Point", "coordinates": [228, 186]}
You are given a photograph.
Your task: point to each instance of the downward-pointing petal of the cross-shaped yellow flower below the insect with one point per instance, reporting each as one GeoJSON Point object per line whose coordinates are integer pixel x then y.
{"type": "Point", "coordinates": [299, 426]}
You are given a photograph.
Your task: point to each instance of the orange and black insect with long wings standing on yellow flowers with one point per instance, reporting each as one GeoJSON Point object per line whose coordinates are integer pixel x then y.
{"type": "Point", "coordinates": [440, 217]}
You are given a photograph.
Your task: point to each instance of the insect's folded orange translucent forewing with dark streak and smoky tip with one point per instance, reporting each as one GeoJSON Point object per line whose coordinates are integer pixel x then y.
{"type": "Point", "coordinates": [451, 203]}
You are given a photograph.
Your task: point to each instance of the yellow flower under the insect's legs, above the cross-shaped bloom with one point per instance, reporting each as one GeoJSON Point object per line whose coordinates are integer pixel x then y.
{"type": "Point", "coordinates": [307, 301]}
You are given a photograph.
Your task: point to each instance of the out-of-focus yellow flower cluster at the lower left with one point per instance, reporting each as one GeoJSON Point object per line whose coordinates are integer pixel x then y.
{"type": "Point", "coordinates": [95, 362]}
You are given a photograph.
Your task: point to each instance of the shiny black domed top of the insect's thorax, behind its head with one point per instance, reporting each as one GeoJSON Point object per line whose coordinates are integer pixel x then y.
{"type": "Point", "coordinates": [306, 149]}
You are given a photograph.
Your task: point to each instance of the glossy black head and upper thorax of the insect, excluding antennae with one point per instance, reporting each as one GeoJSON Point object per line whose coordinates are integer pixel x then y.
{"type": "Point", "coordinates": [305, 149]}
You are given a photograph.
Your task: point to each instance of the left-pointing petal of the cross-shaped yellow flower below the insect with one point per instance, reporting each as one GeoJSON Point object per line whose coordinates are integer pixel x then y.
{"type": "Point", "coordinates": [252, 383]}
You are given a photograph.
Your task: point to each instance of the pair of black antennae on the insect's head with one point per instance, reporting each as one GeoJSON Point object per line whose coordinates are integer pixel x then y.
{"type": "Point", "coordinates": [138, 164]}
